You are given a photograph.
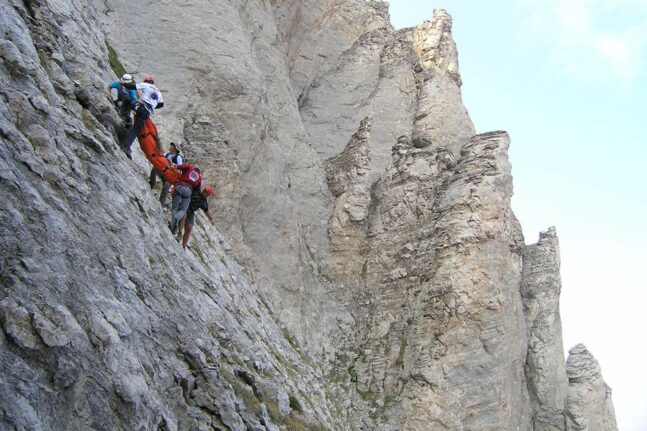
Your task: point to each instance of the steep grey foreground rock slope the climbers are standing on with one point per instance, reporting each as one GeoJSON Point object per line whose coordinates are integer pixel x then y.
{"type": "Point", "coordinates": [107, 322]}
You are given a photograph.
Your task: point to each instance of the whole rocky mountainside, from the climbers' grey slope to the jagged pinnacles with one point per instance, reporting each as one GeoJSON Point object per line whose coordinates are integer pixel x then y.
{"type": "Point", "coordinates": [366, 271]}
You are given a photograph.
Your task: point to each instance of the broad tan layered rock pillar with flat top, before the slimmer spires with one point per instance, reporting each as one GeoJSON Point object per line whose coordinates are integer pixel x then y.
{"type": "Point", "coordinates": [441, 272]}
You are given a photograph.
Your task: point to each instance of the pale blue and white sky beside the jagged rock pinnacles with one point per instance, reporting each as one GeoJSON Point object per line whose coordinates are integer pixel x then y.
{"type": "Point", "coordinates": [567, 79]}
